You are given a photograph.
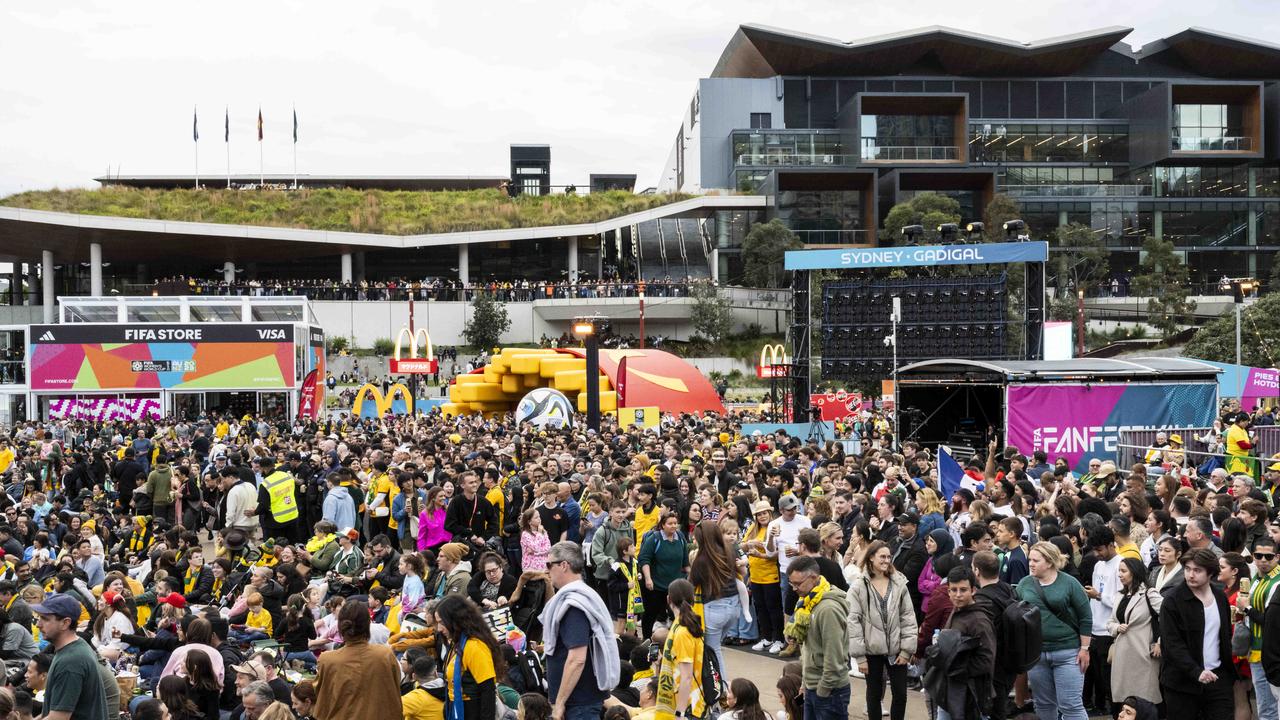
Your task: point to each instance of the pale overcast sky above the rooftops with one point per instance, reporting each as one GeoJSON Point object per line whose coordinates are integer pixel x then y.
{"type": "Point", "coordinates": [431, 88]}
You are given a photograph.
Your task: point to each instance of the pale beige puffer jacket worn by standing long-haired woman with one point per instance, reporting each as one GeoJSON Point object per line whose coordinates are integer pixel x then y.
{"type": "Point", "coordinates": [872, 632]}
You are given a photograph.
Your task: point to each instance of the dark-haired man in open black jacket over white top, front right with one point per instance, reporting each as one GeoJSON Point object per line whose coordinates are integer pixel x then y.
{"type": "Point", "coordinates": [1196, 677]}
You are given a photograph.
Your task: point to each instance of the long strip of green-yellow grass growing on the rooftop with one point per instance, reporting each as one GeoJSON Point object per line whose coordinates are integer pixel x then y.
{"type": "Point", "coordinates": [356, 211]}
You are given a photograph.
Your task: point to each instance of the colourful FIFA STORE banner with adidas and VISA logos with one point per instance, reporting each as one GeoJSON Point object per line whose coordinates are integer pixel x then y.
{"type": "Point", "coordinates": [175, 357]}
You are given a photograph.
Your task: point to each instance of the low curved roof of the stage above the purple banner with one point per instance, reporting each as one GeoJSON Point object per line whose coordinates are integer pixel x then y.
{"type": "Point", "coordinates": [1057, 371]}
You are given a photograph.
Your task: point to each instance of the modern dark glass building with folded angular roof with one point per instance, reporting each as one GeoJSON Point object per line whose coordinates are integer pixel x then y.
{"type": "Point", "coordinates": [1180, 139]}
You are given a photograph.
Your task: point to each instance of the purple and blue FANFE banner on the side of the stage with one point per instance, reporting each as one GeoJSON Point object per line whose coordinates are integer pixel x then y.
{"type": "Point", "coordinates": [1082, 422]}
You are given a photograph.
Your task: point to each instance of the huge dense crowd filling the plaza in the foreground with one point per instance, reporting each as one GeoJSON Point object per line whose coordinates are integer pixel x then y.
{"type": "Point", "coordinates": [431, 568]}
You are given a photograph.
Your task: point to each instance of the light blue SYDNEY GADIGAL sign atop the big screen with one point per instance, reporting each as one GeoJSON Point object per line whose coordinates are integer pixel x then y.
{"type": "Point", "coordinates": [926, 256]}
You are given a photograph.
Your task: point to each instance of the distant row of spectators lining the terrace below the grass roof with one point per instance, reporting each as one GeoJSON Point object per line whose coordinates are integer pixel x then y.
{"type": "Point", "coordinates": [428, 289]}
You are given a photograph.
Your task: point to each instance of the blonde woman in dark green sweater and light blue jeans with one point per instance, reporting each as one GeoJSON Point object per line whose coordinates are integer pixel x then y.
{"type": "Point", "coordinates": [1067, 623]}
